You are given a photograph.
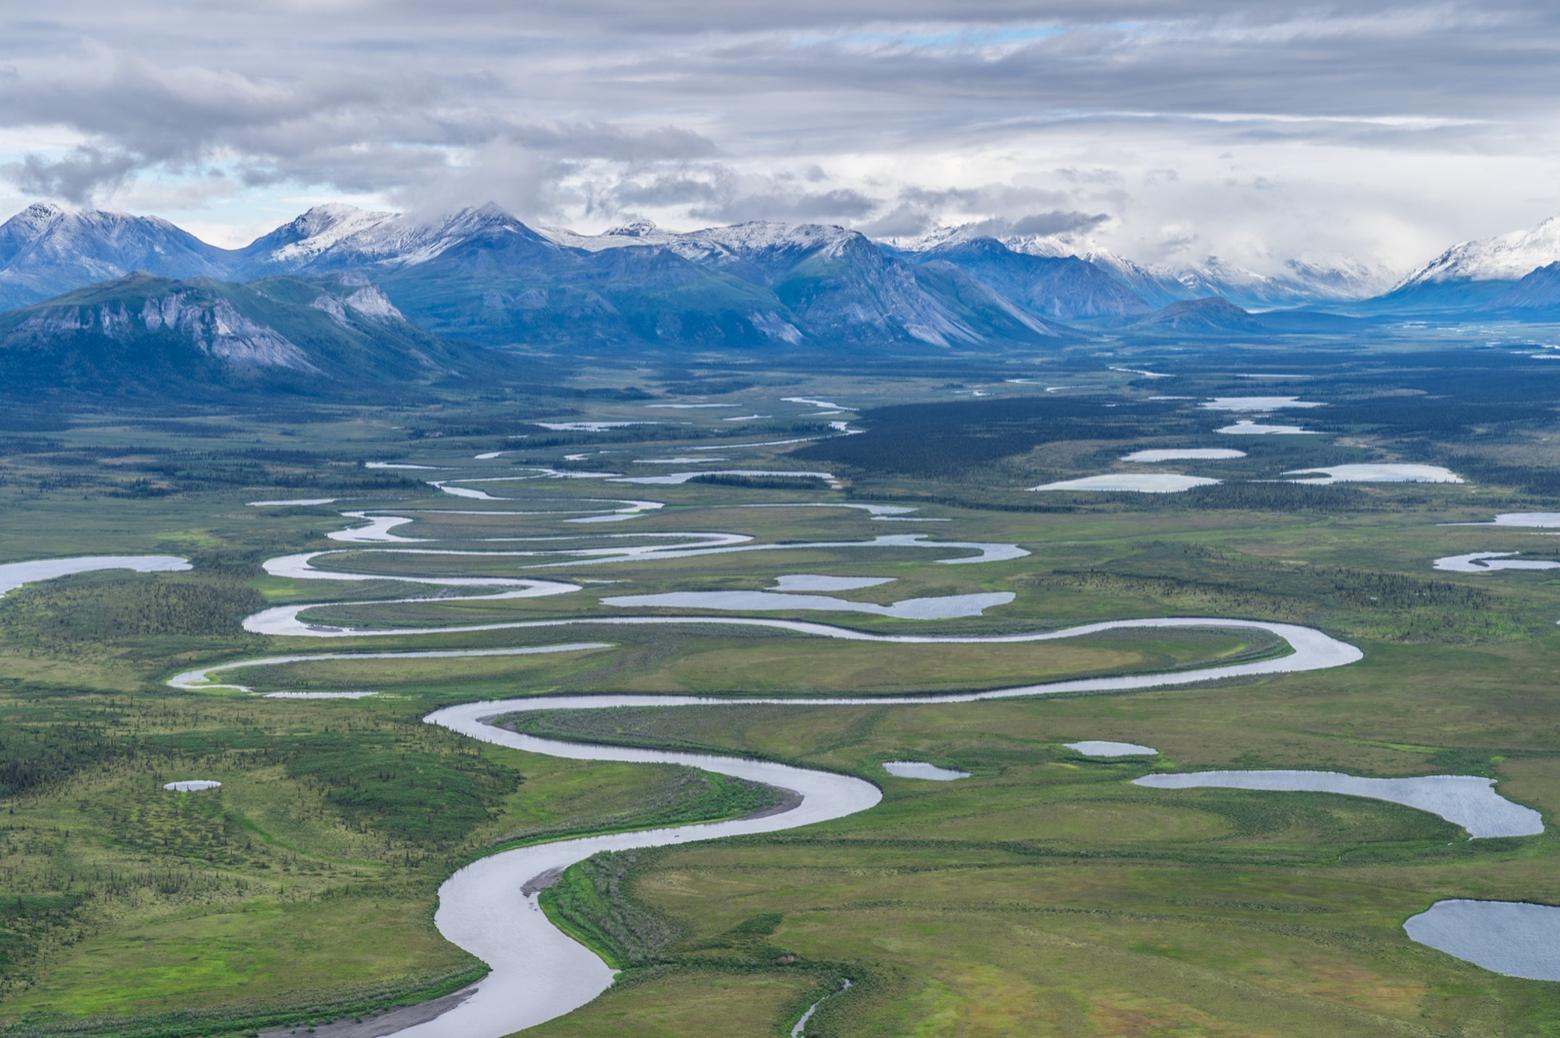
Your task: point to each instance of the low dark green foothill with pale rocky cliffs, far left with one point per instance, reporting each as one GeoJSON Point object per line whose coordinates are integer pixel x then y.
{"type": "Point", "coordinates": [144, 335]}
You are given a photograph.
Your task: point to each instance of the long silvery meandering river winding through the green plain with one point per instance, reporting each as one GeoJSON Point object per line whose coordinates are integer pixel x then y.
{"type": "Point", "coordinates": [491, 908]}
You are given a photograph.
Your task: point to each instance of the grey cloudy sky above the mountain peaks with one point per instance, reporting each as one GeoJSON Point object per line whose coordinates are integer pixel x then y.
{"type": "Point", "coordinates": [1168, 130]}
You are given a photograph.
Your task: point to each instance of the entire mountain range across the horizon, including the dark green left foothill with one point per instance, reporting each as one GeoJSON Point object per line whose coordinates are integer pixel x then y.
{"type": "Point", "coordinates": [338, 285]}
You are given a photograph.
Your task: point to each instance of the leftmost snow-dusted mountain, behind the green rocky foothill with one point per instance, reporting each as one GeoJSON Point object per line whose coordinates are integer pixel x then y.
{"type": "Point", "coordinates": [46, 251]}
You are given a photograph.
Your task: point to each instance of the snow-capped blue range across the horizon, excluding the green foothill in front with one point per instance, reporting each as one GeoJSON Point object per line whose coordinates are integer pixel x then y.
{"type": "Point", "coordinates": [484, 275]}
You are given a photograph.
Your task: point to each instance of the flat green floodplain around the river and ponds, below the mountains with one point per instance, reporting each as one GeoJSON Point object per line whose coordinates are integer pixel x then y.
{"type": "Point", "coordinates": [1043, 894]}
